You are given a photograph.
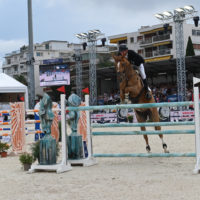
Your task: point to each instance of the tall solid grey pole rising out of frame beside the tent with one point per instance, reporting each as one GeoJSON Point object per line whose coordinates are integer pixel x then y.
{"type": "Point", "coordinates": [31, 77]}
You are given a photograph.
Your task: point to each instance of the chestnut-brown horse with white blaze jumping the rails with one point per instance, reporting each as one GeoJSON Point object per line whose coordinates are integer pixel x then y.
{"type": "Point", "coordinates": [131, 86]}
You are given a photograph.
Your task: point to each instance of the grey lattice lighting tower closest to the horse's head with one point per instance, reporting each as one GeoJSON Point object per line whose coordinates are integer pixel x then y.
{"type": "Point", "coordinates": [92, 70]}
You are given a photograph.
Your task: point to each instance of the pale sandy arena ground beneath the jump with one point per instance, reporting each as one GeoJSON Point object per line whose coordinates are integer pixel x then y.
{"type": "Point", "coordinates": [111, 178]}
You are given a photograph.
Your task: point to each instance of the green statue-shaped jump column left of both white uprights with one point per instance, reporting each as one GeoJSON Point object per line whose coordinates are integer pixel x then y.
{"type": "Point", "coordinates": [47, 143]}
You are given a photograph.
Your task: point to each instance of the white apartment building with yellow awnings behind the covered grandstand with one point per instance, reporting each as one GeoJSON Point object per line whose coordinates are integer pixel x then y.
{"type": "Point", "coordinates": [155, 43]}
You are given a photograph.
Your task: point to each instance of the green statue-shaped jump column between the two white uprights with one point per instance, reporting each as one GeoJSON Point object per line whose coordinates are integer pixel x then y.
{"type": "Point", "coordinates": [75, 142]}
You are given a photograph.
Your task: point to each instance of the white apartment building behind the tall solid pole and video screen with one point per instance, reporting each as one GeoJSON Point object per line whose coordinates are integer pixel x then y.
{"type": "Point", "coordinates": [16, 61]}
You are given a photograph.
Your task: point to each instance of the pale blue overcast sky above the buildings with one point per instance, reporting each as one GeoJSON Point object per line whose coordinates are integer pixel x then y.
{"type": "Point", "coordinates": [62, 19]}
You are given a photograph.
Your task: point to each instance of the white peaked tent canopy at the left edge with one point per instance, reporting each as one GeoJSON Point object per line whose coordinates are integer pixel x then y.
{"type": "Point", "coordinates": [10, 85]}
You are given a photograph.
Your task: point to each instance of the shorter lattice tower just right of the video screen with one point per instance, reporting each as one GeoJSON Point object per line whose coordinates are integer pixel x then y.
{"type": "Point", "coordinates": [78, 61]}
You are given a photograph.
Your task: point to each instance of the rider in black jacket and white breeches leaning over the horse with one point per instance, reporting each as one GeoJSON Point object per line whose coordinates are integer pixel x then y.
{"type": "Point", "coordinates": [138, 60]}
